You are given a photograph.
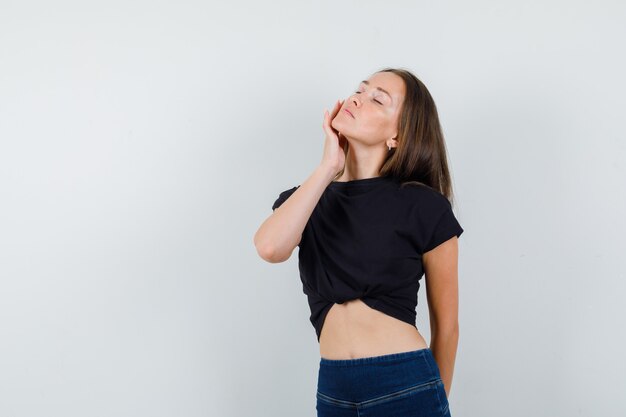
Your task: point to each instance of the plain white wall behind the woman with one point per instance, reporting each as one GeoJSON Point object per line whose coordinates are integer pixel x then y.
{"type": "Point", "coordinates": [142, 143]}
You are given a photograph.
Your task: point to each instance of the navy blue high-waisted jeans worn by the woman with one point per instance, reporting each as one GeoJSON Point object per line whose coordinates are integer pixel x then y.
{"type": "Point", "coordinates": [395, 385]}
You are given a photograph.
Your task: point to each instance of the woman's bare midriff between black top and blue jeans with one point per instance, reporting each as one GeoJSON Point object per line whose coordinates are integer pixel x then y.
{"type": "Point", "coordinates": [355, 330]}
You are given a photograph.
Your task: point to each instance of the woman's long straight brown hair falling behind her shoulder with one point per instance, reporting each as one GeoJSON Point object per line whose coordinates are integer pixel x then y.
{"type": "Point", "coordinates": [420, 157]}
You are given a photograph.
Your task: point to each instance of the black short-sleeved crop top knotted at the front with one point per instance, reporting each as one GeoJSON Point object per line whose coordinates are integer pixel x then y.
{"type": "Point", "coordinates": [365, 239]}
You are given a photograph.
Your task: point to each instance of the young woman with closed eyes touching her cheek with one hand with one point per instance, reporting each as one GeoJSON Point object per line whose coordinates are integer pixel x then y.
{"type": "Point", "coordinates": [370, 221]}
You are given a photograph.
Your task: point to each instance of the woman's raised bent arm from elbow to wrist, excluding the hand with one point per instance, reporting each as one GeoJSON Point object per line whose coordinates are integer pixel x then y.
{"type": "Point", "coordinates": [281, 232]}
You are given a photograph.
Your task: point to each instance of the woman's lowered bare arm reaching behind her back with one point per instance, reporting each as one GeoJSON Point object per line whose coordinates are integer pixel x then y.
{"type": "Point", "coordinates": [441, 268]}
